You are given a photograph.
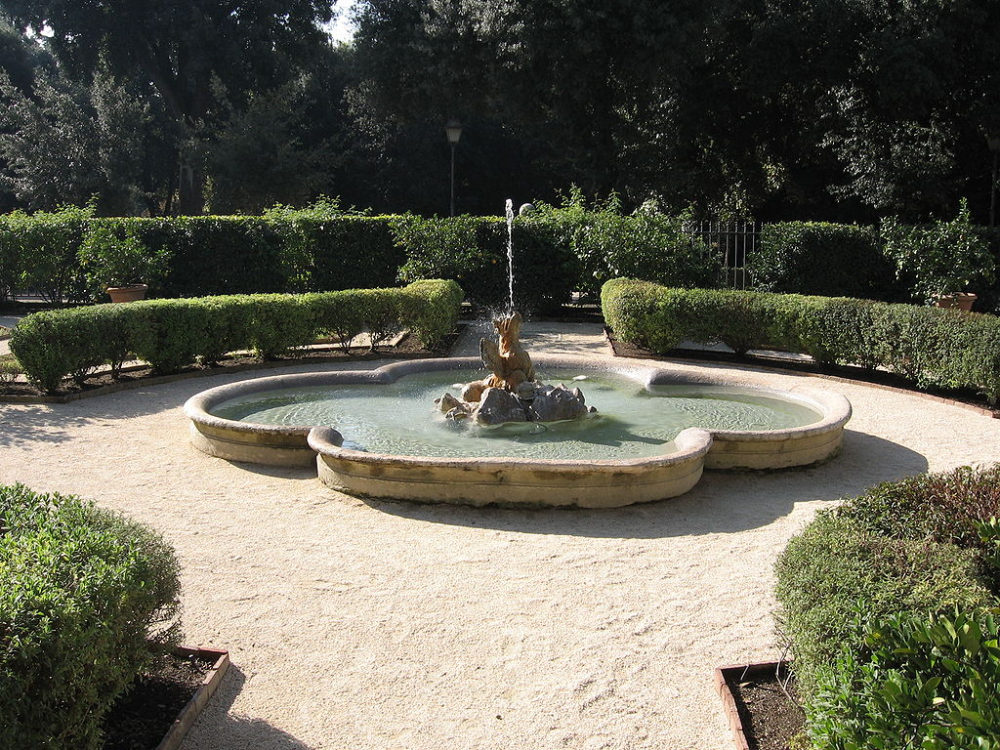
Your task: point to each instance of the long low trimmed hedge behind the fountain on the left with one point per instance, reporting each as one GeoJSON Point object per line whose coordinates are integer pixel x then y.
{"type": "Point", "coordinates": [171, 334]}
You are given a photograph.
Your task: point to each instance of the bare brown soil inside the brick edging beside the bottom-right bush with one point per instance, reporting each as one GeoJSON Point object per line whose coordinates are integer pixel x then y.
{"type": "Point", "coordinates": [771, 718]}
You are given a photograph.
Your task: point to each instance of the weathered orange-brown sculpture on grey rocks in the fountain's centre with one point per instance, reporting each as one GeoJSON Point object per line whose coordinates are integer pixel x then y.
{"type": "Point", "coordinates": [511, 393]}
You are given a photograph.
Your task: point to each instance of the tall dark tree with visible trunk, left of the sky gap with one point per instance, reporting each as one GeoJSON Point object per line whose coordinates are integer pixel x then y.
{"type": "Point", "coordinates": [181, 46]}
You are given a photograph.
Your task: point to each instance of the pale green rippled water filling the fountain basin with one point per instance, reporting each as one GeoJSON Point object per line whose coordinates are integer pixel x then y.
{"type": "Point", "coordinates": [631, 422]}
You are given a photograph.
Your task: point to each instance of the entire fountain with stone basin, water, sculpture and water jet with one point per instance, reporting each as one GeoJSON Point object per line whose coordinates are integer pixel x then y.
{"type": "Point", "coordinates": [510, 438]}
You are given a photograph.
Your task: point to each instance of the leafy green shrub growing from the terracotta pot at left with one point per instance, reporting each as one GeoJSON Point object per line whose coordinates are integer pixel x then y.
{"type": "Point", "coordinates": [114, 259]}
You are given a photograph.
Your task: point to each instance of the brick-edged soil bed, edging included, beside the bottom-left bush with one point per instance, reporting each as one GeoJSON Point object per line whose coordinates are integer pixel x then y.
{"type": "Point", "coordinates": [160, 707]}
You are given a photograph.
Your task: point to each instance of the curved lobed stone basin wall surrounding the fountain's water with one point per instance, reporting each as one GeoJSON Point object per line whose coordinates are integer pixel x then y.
{"type": "Point", "coordinates": [517, 481]}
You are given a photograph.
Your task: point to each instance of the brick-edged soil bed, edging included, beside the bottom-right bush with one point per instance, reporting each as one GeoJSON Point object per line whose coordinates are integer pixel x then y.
{"type": "Point", "coordinates": [762, 705]}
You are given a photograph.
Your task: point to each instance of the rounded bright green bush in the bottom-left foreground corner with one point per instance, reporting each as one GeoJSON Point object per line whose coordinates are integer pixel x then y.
{"type": "Point", "coordinates": [86, 599]}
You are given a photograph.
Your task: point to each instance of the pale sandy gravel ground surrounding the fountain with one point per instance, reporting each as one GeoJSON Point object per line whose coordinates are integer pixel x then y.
{"type": "Point", "coordinates": [363, 625]}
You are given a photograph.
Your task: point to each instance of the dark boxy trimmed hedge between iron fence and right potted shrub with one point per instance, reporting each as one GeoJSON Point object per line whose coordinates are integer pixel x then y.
{"type": "Point", "coordinates": [824, 259]}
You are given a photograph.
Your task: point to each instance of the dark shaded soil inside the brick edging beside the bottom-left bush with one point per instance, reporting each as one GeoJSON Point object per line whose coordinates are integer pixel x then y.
{"type": "Point", "coordinates": [140, 718]}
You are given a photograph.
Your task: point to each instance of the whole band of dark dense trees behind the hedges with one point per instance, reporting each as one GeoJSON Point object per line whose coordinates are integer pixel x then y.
{"type": "Point", "coordinates": [816, 109]}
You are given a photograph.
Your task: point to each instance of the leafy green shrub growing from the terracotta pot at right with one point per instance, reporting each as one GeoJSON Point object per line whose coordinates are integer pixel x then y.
{"type": "Point", "coordinates": [942, 259]}
